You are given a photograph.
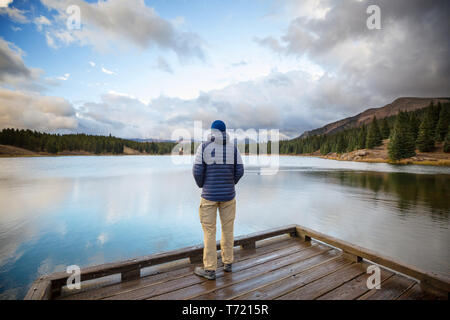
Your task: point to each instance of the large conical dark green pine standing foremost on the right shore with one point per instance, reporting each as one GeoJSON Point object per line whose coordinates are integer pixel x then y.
{"type": "Point", "coordinates": [401, 143]}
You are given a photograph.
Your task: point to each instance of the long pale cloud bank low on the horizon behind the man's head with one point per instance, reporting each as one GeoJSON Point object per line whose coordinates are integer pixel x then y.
{"type": "Point", "coordinates": [291, 102]}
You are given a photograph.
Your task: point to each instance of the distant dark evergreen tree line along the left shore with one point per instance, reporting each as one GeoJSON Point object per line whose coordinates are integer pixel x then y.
{"type": "Point", "coordinates": [54, 143]}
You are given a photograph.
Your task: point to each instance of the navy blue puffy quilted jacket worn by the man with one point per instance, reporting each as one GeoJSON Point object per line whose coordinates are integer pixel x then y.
{"type": "Point", "coordinates": [217, 168]}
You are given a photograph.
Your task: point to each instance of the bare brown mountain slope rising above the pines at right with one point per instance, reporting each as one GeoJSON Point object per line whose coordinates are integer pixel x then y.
{"type": "Point", "coordinates": [391, 109]}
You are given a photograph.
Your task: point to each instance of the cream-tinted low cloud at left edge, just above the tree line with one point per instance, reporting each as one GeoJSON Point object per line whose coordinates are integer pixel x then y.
{"type": "Point", "coordinates": [28, 110]}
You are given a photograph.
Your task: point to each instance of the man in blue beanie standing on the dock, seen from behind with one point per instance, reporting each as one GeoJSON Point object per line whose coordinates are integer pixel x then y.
{"type": "Point", "coordinates": [217, 168]}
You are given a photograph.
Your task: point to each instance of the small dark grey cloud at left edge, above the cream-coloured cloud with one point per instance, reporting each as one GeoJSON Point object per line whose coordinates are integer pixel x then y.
{"type": "Point", "coordinates": [13, 71]}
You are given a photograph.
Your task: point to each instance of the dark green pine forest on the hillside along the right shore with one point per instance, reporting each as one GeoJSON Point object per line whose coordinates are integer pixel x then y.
{"type": "Point", "coordinates": [407, 131]}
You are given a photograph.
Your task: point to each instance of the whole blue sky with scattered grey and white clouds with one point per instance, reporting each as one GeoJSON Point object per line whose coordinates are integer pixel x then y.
{"type": "Point", "coordinates": [142, 69]}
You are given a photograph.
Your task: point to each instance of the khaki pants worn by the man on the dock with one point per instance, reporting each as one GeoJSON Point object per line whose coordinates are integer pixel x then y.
{"type": "Point", "coordinates": [208, 214]}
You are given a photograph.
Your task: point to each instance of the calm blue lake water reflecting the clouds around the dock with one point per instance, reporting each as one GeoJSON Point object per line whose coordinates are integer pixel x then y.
{"type": "Point", "coordinates": [60, 211]}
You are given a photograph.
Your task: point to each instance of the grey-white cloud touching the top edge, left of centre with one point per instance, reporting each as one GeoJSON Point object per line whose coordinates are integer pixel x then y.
{"type": "Point", "coordinates": [116, 22]}
